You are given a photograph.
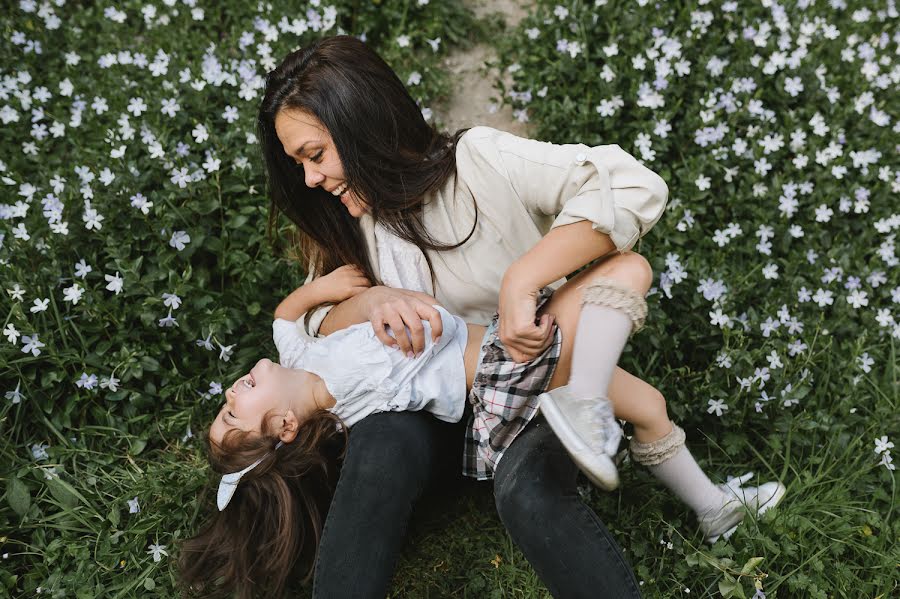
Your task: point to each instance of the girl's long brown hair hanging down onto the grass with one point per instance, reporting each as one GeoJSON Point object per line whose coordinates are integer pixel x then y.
{"type": "Point", "coordinates": [269, 532]}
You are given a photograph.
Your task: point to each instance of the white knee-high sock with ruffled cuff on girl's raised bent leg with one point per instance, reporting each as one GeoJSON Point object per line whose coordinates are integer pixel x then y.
{"type": "Point", "coordinates": [608, 314]}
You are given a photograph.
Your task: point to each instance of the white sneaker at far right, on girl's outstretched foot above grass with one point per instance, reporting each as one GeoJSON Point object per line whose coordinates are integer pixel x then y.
{"type": "Point", "coordinates": [723, 522]}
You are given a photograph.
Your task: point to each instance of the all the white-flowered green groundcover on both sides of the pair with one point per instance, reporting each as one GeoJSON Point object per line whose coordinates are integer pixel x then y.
{"type": "Point", "coordinates": [137, 279]}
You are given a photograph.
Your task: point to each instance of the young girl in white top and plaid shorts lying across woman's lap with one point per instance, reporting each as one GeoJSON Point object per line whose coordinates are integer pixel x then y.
{"type": "Point", "coordinates": [277, 438]}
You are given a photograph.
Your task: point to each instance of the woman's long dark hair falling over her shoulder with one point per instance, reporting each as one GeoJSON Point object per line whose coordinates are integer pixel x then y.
{"type": "Point", "coordinates": [392, 158]}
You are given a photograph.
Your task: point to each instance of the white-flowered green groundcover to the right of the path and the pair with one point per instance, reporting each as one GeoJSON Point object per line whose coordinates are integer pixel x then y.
{"type": "Point", "coordinates": [774, 319]}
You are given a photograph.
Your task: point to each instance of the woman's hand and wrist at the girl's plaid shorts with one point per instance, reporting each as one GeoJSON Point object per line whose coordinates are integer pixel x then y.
{"type": "Point", "coordinates": [524, 336]}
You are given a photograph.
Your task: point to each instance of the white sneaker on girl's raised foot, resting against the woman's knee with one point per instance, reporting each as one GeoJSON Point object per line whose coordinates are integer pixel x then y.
{"type": "Point", "coordinates": [589, 432]}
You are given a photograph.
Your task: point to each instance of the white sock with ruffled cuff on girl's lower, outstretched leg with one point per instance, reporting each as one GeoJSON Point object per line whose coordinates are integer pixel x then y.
{"type": "Point", "coordinates": [669, 460]}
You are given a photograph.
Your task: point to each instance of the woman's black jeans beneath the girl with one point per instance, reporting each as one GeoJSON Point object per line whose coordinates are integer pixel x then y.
{"type": "Point", "coordinates": [390, 460]}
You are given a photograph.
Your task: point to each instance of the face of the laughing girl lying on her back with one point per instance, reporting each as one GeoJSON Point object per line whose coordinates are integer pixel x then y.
{"type": "Point", "coordinates": [267, 388]}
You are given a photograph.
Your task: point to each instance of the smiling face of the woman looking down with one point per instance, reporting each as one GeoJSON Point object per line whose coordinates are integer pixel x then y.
{"type": "Point", "coordinates": [307, 142]}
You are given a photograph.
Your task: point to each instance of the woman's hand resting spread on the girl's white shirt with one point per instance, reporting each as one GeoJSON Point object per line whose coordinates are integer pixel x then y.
{"type": "Point", "coordinates": [403, 311]}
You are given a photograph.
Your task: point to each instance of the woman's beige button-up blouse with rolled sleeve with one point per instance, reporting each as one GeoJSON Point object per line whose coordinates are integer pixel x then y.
{"type": "Point", "coordinates": [523, 188]}
